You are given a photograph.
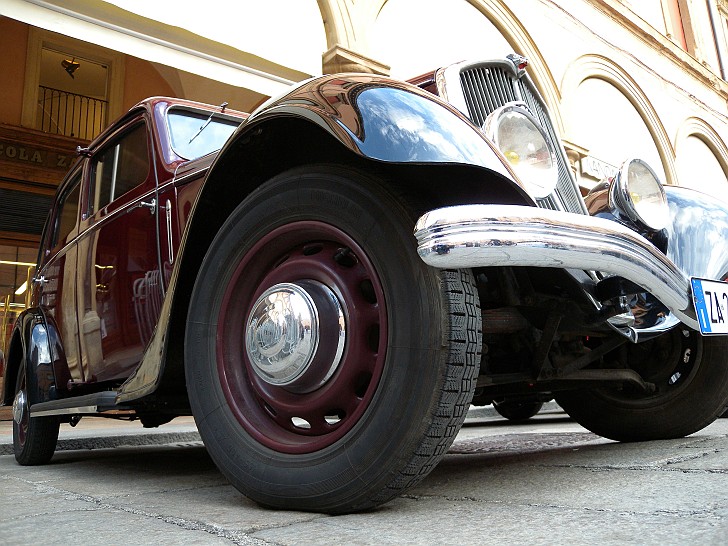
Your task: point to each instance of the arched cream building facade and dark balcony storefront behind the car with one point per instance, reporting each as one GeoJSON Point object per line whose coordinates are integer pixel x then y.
{"type": "Point", "coordinates": [622, 78]}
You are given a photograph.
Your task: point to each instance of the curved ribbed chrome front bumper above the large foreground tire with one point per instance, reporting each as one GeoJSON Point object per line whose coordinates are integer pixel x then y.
{"type": "Point", "coordinates": [509, 235]}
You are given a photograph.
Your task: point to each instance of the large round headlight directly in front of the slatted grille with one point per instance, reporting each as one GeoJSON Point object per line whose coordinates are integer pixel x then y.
{"type": "Point", "coordinates": [523, 142]}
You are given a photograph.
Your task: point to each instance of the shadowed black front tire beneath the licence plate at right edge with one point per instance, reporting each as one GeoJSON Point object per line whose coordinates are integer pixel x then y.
{"type": "Point", "coordinates": [690, 373]}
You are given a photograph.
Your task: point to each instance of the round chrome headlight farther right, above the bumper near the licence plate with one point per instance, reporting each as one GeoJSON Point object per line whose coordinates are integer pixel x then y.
{"type": "Point", "coordinates": [638, 194]}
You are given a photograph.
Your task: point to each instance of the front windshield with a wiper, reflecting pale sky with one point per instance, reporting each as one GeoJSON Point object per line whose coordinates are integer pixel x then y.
{"type": "Point", "coordinates": [185, 124]}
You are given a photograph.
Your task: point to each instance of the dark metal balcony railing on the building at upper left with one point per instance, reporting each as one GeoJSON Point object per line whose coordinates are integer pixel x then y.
{"type": "Point", "coordinates": [69, 114]}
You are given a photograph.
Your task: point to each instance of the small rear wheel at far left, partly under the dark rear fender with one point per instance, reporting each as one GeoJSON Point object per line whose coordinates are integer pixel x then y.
{"type": "Point", "coordinates": [34, 438]}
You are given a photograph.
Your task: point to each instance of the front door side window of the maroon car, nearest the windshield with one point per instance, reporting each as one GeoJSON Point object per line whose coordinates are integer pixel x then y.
{"type": "Point", "coordinates": [119, 167]}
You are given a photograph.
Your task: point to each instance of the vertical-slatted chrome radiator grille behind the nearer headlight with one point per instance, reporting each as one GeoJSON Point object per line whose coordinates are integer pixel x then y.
{"type": "Point", "coordinates": [488, 86]}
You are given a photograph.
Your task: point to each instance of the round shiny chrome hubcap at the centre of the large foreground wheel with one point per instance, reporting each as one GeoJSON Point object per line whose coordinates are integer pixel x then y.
{"type": "Point", "coordinates": [295, 335]}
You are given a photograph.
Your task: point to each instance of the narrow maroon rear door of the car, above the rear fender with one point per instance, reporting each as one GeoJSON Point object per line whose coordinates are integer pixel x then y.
{"type": "Point", "coordinates": [55, 281]}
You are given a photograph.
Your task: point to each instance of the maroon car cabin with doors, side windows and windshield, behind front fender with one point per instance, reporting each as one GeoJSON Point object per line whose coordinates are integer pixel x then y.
{"type": "Point", "coordinates": [109, 246]}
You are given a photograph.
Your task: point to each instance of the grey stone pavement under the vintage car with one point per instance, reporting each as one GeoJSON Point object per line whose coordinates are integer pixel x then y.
{"type": "Point", "coordinates": [548, 481]}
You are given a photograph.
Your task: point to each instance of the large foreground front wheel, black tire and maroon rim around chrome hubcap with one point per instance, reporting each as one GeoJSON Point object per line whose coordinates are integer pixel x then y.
{"type": "Point", "coordinates": [378, 424]}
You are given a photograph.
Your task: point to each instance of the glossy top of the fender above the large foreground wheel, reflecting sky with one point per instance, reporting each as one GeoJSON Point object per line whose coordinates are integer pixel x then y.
{"type": "Point", "coordinates": [382, 119]}
